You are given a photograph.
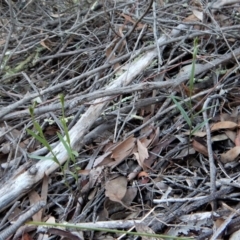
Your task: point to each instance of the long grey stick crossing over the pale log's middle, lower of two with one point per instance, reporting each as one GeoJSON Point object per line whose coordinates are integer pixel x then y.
{"type": "Point", "coordinates": [110, 92]}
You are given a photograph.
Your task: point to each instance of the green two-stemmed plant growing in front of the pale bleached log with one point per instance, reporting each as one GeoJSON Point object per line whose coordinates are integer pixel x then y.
{"type": "Point", "coordinates": [39, 136]}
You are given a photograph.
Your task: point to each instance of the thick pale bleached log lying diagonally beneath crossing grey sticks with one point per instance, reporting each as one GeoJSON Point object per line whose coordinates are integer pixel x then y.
{"type": "Point", "coordinates": [20, 185]}
